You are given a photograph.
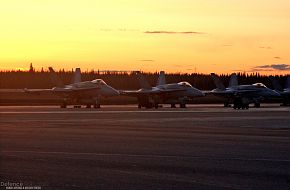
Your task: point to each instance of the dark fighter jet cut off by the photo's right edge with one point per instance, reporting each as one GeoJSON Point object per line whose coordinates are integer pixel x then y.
{"type": "Point", "coordinates": [285, 93]}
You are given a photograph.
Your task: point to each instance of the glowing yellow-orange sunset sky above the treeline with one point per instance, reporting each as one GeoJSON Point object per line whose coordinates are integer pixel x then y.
{"type": "Point", "coordinates": [221, 36]}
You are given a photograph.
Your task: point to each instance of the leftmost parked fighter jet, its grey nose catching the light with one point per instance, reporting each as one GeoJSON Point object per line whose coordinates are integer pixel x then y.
{"type": "Point", "coordinates": [87, 92]}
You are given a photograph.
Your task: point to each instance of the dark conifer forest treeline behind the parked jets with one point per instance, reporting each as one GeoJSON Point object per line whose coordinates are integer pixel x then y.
{"type": "Point", "coordinates": [122, 80]}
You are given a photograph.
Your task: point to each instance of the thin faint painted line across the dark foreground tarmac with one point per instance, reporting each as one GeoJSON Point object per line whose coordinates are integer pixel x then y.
{"type": "Point", "coordinates": [149, 156]}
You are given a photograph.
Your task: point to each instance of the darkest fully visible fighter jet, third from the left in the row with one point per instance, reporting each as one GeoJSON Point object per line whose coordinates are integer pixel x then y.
{"type": "Point", "coordinates": [243, 95]}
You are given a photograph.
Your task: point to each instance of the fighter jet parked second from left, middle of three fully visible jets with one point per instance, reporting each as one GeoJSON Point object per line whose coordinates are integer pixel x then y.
{"type": "Point", "coordinates": [174, 93]}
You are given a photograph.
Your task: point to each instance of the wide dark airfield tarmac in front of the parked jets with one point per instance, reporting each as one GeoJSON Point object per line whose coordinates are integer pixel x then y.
{"type": "Point", "coordinates": [121, 147]}
